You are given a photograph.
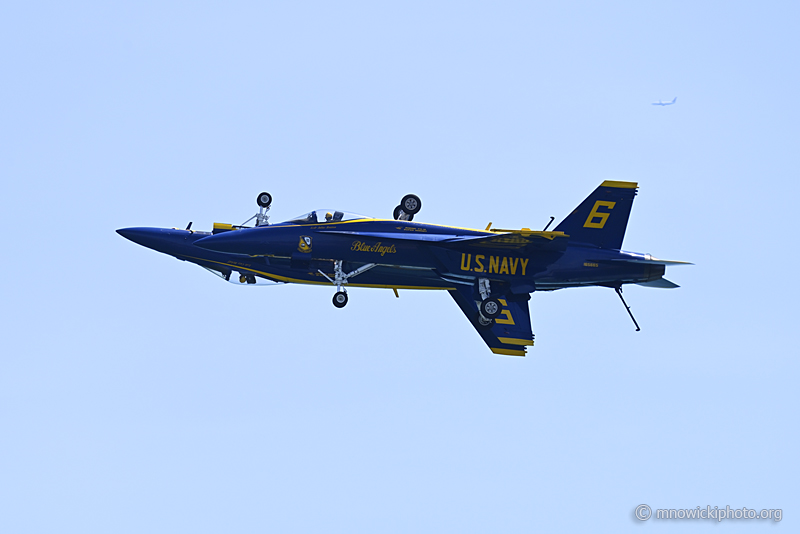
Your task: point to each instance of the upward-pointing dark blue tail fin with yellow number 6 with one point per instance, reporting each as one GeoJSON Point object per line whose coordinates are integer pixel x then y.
{"type": "Point", "coordinates": [601, 219]}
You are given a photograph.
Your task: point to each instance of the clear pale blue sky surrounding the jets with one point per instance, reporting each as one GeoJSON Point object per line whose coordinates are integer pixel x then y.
{"type": "Point", "coordinates": [141, 394]}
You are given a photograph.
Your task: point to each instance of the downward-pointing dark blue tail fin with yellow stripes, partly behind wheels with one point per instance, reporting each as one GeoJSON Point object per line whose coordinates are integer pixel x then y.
{"type": "Point", "coordinates": [511, 332]}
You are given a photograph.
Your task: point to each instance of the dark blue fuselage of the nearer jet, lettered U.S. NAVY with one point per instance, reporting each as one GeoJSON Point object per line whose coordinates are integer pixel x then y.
{"type": "Point", "coordinates": [410, 254]}
